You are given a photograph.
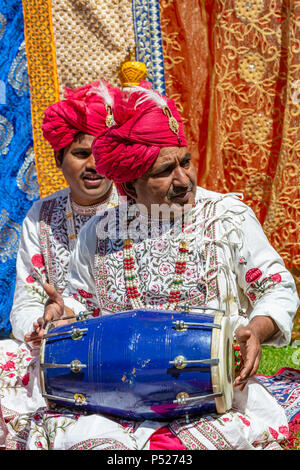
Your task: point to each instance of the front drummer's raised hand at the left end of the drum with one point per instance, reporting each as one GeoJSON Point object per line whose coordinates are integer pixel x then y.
{"type": "Point", "coordinates": [54, 310]}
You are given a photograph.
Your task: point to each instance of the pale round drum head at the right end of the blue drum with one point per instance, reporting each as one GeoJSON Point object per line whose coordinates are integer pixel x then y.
{"type": "Point", "coordinates": [222, 374]}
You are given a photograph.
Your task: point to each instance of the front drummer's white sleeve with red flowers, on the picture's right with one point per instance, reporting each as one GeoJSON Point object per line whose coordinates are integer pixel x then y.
{"type": "Point", "coordinates": [263, 277]}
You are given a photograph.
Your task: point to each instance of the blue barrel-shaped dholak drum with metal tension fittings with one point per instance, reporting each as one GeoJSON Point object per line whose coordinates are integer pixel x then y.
{"type": "Point", "coordinates": [140, 364]}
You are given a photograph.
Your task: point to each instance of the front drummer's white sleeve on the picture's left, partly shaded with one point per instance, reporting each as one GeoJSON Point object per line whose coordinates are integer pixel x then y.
{"type": "Point", "coordinates": [80, 292]}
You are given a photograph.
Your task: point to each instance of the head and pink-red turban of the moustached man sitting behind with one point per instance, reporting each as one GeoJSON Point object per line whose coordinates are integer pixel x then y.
{"type": "Point", "coordinates": [70, 127]}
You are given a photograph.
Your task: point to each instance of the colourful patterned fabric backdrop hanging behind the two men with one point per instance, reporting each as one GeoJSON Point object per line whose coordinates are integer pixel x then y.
{"type": "Point", "coordinates": [232, 66]}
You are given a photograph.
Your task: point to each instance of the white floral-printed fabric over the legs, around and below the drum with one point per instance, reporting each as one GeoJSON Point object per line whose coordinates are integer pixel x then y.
{"type": "Point", "coordinates": [256, 421]}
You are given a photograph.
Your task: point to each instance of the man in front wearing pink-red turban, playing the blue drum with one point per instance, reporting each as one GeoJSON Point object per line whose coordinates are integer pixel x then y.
{"type": "Point", "coordinates": [170, 246]}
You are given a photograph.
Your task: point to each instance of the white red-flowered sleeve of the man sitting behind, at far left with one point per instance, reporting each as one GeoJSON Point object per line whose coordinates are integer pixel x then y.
{"type": "Point", "coordinates": [29, 296]}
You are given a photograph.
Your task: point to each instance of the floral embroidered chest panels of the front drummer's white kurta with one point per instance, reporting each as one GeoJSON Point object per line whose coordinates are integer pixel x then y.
{"type": "Point", "coordinates": [155, 259]}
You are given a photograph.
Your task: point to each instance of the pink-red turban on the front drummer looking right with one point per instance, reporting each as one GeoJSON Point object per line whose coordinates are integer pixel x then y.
{"type": "Point", "coordinates": [128, 149]}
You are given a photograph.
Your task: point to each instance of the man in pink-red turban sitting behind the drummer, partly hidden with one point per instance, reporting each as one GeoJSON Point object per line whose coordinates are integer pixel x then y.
{"type": "Point", "coordinates": [50, 232]}
